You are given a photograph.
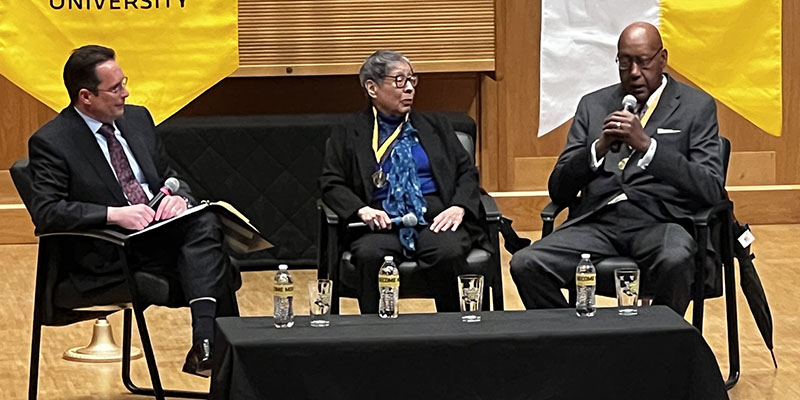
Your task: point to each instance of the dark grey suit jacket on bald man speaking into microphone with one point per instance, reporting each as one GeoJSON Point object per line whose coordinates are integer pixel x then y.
{"type": "Point", "coordinates": [685, 175]}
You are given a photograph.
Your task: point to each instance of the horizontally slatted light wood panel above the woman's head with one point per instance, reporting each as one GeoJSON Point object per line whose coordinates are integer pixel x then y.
{"type": "Point", "coordinates": [319, 37]}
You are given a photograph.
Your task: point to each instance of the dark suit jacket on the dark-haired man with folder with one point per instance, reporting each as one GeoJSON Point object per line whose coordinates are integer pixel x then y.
{"type": "Point", "coordinates": [74, 184]}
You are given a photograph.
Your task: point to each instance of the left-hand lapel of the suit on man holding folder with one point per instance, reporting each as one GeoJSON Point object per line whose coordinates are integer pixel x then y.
{"type": "Point", "coordinates": [85, 140]}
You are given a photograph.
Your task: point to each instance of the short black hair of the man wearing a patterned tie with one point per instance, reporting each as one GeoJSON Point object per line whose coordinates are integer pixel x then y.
{"type": "Point", "coordinates": [80, 69]}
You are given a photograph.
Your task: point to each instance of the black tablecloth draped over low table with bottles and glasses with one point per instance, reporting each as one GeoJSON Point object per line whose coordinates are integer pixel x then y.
{"type": "Point", "coordinates": [545, 354]}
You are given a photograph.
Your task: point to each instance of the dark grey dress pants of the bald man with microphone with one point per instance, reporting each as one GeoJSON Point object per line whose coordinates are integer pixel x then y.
{"type": "Point", "coordinates": [664, 252]}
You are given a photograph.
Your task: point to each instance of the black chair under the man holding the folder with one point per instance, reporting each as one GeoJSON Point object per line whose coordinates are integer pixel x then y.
{"type": "Point", "coordinates": [57, 303]}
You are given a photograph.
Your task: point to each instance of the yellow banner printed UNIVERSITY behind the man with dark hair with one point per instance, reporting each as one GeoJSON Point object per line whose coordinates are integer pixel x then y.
{"type": "Point", "coordinates": [171, 50]}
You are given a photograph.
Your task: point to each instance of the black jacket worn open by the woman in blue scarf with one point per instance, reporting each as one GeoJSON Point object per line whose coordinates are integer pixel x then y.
{"type": "Point", "coordinates": [346, 179]}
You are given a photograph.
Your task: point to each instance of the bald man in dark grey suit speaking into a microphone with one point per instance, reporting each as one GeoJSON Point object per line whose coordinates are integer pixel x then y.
{"type": "Point", "coordinates": [632, 201]}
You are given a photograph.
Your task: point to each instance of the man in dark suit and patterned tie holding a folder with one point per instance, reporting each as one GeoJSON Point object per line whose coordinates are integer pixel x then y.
{"type": "Point", "coordinates": [97, 164]}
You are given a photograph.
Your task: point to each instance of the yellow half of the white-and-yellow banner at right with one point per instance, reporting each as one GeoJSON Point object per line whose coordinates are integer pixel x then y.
{"type": "Point", "coordinates": [732, 50]}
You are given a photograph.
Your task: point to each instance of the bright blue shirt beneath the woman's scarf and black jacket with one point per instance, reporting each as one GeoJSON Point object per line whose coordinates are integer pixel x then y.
{"type": "Point", "coordinates": [386, 126]}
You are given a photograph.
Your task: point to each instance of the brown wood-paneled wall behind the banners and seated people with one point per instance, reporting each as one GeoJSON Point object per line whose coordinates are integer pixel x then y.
{"type": "Point", "coordinates": [488, 66]}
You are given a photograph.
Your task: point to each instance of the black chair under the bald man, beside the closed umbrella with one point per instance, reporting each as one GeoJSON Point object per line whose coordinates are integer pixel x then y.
{"type": "Point", "coordinates": [712, 224]}
